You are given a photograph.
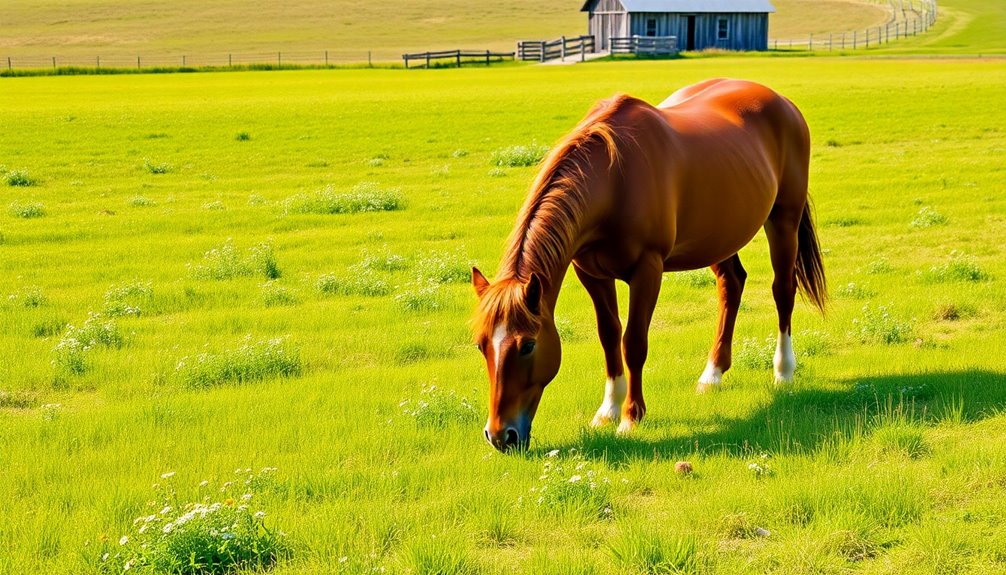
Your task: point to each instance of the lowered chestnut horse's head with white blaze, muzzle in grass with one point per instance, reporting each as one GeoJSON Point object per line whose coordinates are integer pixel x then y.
{"type": "Point", "coordinates": [516, 332]}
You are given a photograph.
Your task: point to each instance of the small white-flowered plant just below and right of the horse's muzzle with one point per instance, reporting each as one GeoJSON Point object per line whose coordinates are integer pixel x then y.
{"type": "Point", "coordinates": [569, 485]}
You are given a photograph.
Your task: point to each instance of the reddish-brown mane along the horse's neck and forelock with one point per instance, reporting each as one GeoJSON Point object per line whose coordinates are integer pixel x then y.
{"type": "Point", "coordinates": [549, 223]}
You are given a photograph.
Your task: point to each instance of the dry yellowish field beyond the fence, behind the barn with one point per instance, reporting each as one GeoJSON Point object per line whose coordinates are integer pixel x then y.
{"type": "Point", "coordinates": [89, 29]}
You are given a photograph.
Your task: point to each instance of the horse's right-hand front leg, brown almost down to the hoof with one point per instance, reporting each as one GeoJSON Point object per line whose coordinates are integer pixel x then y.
{"type": "Point", "coordinates": [644, 288]}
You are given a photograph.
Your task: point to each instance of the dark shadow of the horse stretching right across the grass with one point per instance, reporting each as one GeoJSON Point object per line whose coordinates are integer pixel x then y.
{"type": "Point", "coordinates": [806, 421]}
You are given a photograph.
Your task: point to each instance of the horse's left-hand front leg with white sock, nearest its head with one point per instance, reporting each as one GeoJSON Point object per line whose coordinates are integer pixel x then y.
{"type": "Point", "coordinates": [606, 306]}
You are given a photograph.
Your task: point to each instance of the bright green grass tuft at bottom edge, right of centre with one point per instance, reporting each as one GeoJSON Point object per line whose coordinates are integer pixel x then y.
{"type": "Point", "coordinates": [641, 551]}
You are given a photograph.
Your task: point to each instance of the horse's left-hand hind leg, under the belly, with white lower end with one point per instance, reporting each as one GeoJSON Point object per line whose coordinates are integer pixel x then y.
{"type": "Point", "coordinates": [731, 277]}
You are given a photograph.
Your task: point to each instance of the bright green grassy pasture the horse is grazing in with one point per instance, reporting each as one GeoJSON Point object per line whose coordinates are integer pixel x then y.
{"type": "Point", "coordinates": [239, 328]}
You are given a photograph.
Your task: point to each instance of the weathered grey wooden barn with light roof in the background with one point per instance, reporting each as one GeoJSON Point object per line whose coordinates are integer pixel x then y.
{"type": "Point", "coordinates": [698, 25]}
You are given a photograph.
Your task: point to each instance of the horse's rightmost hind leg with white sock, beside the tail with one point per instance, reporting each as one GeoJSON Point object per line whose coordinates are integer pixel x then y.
{"type": "Point", "coordinates": [782, 230]}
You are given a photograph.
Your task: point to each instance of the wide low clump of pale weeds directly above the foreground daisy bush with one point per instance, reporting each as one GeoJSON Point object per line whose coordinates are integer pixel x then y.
{"type": "Point", "coordinates": [253, 361]}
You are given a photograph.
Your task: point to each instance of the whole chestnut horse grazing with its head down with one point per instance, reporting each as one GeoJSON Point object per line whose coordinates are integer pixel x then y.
{"type": "Point", "coordinates": [632, 193]}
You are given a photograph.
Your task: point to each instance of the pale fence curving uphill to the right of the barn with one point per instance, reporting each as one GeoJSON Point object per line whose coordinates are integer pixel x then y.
{"type": "Point", "coordinates": [906, 23]}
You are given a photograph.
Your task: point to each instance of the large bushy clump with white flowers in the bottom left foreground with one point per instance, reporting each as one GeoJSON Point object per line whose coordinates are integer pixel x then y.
{"type": "Point", "coordinates": [206, 537]}
